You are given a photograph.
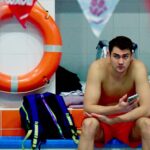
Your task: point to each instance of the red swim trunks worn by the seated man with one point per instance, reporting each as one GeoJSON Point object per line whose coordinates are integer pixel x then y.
{"type": "Point", "coordinates": [120, 131]}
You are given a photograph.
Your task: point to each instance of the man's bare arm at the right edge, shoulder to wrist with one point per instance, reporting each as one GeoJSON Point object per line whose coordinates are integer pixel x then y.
{"type": "Point", "coordinates": [143, 90]}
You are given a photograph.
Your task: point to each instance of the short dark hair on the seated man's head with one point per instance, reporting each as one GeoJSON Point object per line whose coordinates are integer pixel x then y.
{"type": "Point", "coordinates": [121, 42]}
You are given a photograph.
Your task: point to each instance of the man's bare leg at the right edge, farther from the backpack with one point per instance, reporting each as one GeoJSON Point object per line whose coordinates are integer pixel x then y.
{"type": "Point", "coordinates": [142, 130]}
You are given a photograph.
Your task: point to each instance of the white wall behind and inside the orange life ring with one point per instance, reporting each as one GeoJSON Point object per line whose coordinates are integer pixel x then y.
{"type": "Point", "coordinates": [20, 51]}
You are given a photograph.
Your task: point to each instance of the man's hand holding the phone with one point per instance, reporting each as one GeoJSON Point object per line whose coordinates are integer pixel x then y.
{"type": "Point", "coordinates": [124, 106]}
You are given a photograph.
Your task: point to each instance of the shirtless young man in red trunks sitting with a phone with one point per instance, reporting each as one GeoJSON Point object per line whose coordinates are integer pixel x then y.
{"type": "Point", "coordinates": [110, 81]}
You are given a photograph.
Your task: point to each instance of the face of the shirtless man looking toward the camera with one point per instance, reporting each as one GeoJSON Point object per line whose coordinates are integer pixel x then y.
{"type": "Point", "coordinates": [120, 59]}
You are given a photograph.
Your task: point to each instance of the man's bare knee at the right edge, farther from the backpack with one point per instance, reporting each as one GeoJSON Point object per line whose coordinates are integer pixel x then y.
{"type": "Point", "coordinates": [144, 125]}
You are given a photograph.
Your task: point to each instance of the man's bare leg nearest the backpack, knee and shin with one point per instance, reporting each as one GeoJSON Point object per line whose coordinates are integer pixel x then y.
{"type": "Point", "coordinates": [90, 133]}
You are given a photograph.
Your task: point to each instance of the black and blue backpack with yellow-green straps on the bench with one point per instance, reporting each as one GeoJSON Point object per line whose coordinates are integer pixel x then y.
{"type": "Point", "coordinates": [45, 116]}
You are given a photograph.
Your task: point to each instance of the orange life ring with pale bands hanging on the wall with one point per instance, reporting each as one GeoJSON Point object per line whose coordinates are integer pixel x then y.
{"type": "Point", "coordinates": [51, 57]}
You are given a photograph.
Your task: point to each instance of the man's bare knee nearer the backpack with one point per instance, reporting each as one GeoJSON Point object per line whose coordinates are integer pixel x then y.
{"type": "Point", "coordinates": [90, 126]}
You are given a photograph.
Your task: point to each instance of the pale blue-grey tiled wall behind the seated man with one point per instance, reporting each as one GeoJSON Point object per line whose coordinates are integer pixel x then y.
{"type": "Point", "coordinates": [79, 43]}
